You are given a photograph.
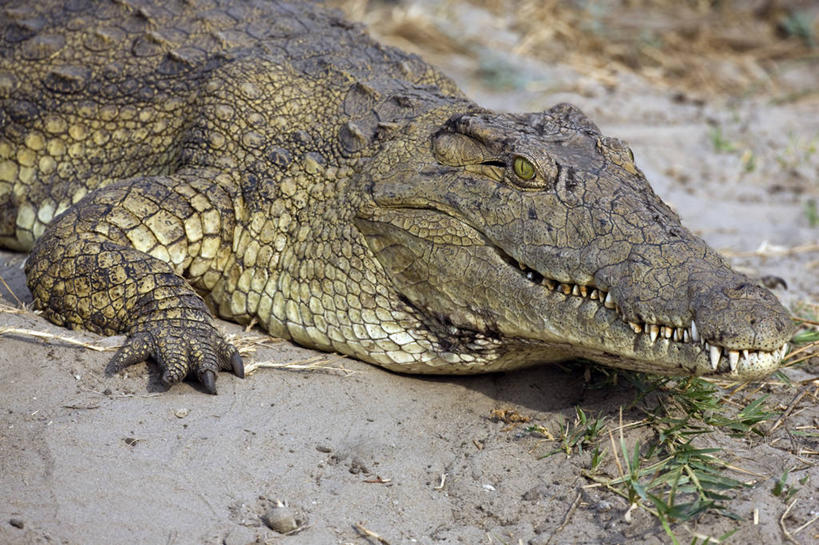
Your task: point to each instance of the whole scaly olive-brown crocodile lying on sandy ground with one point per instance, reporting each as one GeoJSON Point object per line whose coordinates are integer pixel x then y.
{"type": "Point", "coordinates": [269, 161]}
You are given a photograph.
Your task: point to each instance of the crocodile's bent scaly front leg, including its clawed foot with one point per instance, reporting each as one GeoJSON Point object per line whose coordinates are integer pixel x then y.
{"type": "Point", "coordinates": [114, 263]}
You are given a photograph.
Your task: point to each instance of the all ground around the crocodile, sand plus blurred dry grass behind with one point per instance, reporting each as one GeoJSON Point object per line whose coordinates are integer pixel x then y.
{"type": "Point", "coordinates": [360, 455]}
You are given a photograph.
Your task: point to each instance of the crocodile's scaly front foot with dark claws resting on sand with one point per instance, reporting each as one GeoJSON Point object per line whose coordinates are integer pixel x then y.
{"type": "Point", "coordinates": [180, 350]}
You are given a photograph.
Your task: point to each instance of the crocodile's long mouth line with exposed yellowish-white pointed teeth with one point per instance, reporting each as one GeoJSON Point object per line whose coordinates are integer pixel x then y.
{"type": "Point", "coordinates": [730, 359]}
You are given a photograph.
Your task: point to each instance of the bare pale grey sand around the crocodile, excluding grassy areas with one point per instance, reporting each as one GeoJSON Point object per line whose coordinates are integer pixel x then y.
{"type": "Point", "coordinates": [90, 459]}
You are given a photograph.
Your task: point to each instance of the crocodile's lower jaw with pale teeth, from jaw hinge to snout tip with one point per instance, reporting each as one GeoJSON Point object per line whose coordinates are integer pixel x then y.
{"type": "Point", "coordinates": [529, 319]}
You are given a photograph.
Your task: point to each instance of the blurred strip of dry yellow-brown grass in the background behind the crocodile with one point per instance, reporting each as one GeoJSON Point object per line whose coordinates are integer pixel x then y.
{"type": "Point", "coordinates": [703, 47]}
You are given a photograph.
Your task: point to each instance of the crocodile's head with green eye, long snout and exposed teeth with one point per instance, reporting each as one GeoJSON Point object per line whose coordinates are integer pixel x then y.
{"type": "Point", "coordinates": [533, 237]}
